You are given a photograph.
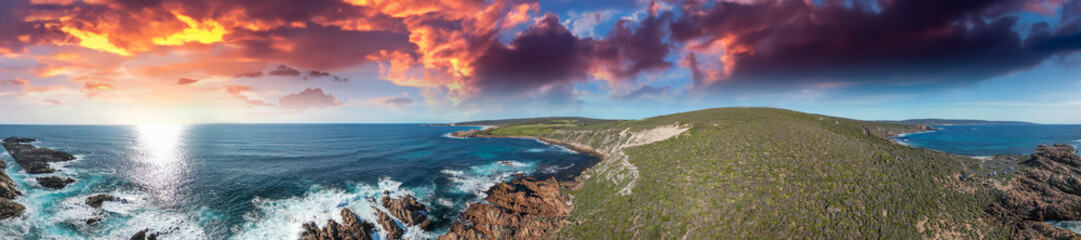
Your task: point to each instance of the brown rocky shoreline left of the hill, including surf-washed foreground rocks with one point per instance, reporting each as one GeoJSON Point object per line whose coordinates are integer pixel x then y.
{"type": "Point", "coordinates": [525, 208]}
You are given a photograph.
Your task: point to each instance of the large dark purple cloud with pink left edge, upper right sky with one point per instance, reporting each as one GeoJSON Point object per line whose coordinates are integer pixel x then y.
{"type": "Point", "coordinates": [794, 43]}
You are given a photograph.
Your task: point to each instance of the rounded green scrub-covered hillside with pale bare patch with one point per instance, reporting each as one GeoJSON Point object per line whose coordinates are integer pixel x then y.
{"type": "Point", "coordinates": [739, 174]}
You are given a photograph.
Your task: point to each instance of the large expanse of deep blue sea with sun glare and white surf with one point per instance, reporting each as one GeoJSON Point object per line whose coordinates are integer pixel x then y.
{"type": "Point", "coordinates": [260, 181]}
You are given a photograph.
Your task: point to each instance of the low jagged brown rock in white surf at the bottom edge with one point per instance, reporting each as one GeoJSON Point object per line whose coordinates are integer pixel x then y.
{"type": "Point", "coordinates": [353, 229]}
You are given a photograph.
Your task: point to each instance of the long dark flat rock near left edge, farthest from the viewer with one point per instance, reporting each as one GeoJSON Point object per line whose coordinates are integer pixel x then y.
{"type": "Point", "coordinates": [34, 159]}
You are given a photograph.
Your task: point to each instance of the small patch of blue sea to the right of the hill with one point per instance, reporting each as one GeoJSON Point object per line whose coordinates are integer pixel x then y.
{"type": "Point", "coordinates": [993, 140]}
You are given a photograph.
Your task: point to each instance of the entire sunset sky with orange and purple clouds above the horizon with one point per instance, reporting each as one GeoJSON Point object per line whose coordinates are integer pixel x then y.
{"type": "Point", "coordinates": [140, 62]}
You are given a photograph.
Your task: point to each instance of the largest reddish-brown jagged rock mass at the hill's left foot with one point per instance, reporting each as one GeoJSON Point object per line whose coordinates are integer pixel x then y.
{"type": "Point", "coordinates": [524, 209]}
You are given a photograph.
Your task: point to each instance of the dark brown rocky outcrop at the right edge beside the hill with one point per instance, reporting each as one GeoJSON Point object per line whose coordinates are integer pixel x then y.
{"type": "Point", "coordinates": [1048, 190]}
